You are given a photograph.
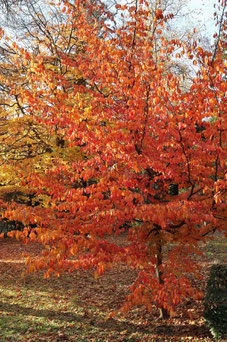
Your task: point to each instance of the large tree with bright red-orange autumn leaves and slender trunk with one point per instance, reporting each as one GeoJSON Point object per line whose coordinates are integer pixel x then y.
{"type": "Point", "coordinates": [154, 155]}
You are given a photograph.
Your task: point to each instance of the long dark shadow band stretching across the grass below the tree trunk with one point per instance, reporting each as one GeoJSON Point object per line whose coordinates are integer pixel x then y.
{"type": "Point", "coordinates": [92, 322]}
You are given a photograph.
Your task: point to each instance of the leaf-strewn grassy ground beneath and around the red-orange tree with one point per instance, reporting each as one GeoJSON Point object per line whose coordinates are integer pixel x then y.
{"type": "Point", "coordinates": [74, 307]}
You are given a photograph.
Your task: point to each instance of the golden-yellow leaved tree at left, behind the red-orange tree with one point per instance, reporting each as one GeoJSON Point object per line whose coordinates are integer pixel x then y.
{"type": "Point", "coordinates": [25, 141]}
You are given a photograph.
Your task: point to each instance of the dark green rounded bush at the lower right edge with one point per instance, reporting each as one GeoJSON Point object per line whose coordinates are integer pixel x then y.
{"type": "Point", "coordinates": [215, 308]}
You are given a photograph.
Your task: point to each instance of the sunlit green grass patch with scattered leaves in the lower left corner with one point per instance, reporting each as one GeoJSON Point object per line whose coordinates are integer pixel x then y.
{"type": "Point", "coordinates": [30, 314]}
